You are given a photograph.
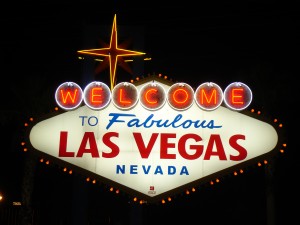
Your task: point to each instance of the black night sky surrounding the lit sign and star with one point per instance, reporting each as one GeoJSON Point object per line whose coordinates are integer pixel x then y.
{"type": "Point", "coordinates": [254, 42]}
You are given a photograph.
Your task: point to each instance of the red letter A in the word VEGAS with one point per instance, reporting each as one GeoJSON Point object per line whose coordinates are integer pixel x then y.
{"type": "Point", "coordinates": [215, 139]}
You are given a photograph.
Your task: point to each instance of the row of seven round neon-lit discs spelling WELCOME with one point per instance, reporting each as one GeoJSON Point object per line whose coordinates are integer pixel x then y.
{"type": "Point", "coordinates": [153, 96]}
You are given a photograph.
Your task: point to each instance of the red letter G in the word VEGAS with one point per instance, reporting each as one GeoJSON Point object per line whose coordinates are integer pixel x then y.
{"type": "Point", "coordinates": [198, 148]}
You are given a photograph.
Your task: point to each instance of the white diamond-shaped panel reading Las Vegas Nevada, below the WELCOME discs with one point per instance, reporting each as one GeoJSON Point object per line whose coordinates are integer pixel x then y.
{"type": "Point", "coordinates": [152, 152]}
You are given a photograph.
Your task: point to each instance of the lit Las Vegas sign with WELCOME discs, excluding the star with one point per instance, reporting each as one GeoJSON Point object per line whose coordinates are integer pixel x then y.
{"type": "Point", "coordinates": [153, 139]}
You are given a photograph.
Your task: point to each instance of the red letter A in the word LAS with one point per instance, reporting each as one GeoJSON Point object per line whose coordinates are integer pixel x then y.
{"type": "Point", "coordinates": [88, 137]}
